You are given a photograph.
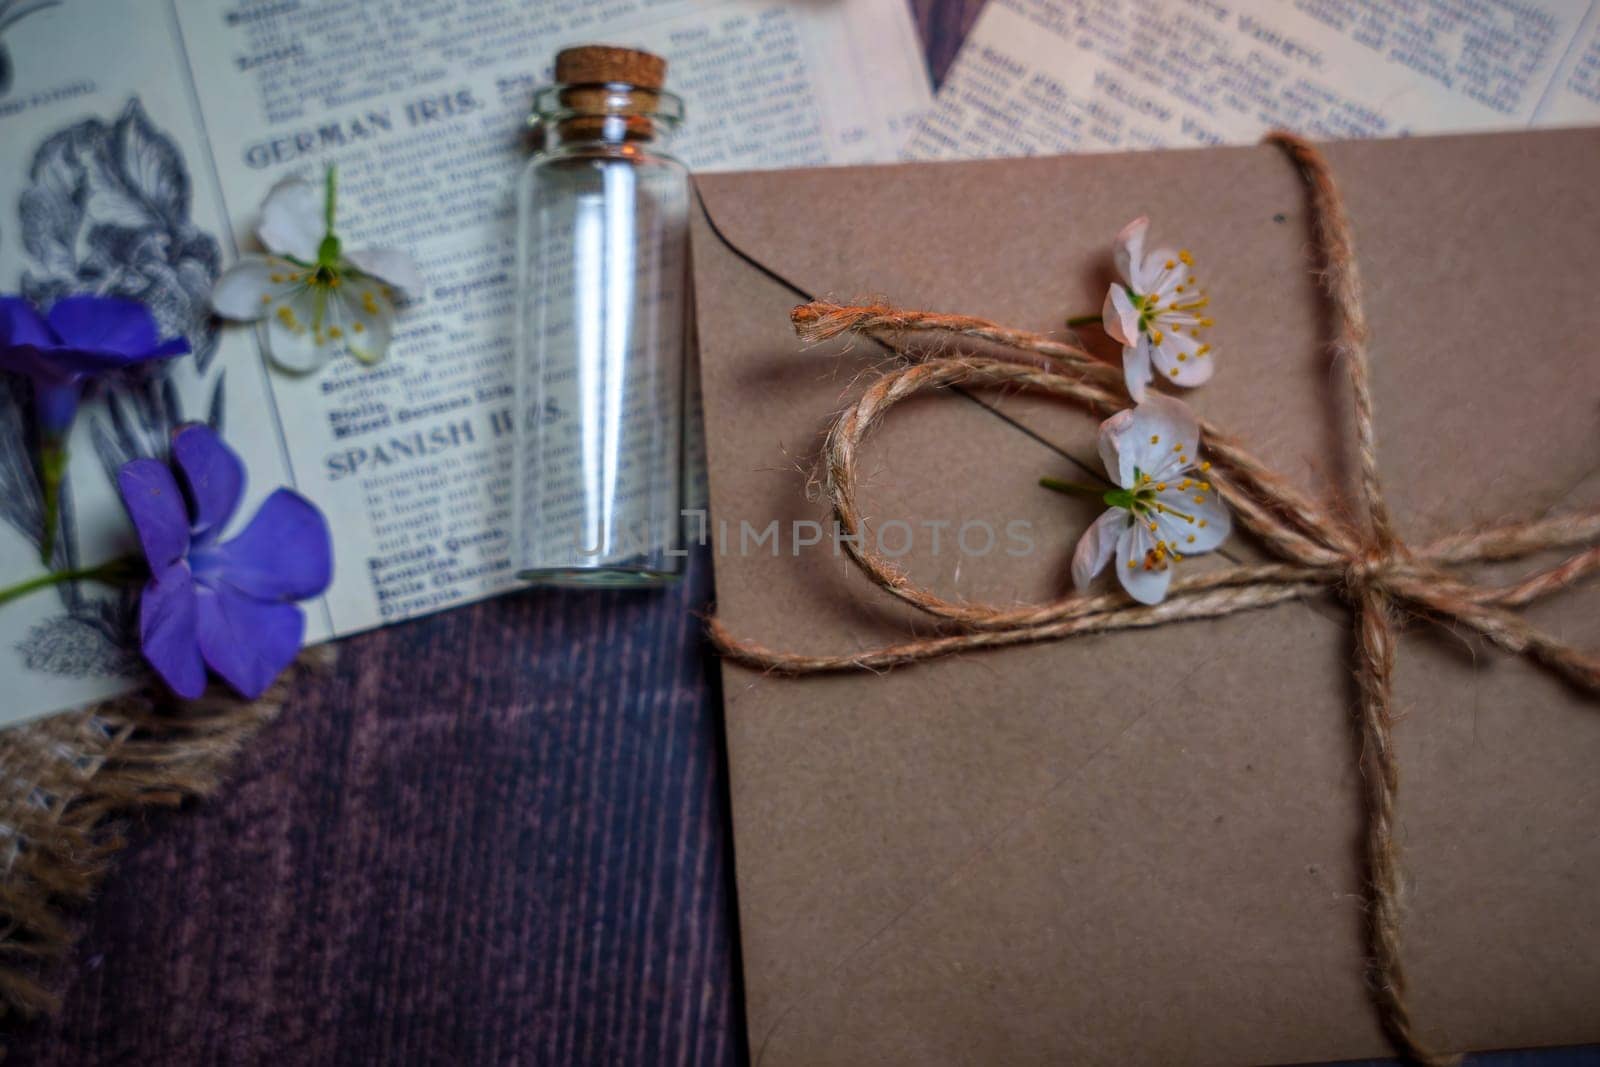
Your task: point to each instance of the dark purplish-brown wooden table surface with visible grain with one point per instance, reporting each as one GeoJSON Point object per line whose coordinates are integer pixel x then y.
{"type": "Point", "coordinates": [498, 836]}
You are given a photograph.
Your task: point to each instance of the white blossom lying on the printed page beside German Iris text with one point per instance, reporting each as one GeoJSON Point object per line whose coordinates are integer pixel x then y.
{"type": "Point", "coordinates": [313, 298]}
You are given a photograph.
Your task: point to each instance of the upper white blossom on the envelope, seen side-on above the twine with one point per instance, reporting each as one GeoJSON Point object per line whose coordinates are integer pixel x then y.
{"type": "Point", "coordinates": [1156, 313]}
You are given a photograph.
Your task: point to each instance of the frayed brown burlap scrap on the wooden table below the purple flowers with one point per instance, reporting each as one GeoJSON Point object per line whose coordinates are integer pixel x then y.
{"type": "Point", "coordinates": [68, 785]}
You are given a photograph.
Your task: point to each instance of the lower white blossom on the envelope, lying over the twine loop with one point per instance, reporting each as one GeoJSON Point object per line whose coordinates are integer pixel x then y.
{"type": "Point", "coordinates": [1164, 511]}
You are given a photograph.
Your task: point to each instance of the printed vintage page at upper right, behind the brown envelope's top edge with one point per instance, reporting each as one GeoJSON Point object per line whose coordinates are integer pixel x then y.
{"type": "Point", "coordinates": [1086, 76]}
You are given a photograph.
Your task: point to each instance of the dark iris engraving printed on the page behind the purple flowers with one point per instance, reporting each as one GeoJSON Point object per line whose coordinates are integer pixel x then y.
{"type": "Point", "coordinates": [106, 212]}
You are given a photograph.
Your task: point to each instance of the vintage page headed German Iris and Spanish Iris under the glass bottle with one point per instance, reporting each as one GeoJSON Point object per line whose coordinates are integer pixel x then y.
{"type": "Point", "coordinates": [140, 140]}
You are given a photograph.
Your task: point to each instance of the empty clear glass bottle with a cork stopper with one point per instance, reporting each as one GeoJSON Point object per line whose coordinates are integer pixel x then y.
{"type": "Point", "coordinates": [602, 289]}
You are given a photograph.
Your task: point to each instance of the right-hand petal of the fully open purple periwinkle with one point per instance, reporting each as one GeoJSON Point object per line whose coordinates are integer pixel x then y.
{"type": "Point", "coordinates": [284, 554]}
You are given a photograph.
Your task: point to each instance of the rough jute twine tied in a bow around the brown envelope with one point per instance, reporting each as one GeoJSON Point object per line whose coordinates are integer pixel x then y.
{"type": "Point", "coordinates": [1362, 557]}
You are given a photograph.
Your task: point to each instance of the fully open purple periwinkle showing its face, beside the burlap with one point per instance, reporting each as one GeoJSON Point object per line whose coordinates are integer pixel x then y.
{"type": "Point", "coordinates": [226, 605]}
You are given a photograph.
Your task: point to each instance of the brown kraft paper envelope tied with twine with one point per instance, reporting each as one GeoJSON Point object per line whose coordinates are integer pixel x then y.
{"type": "Point", "coordinates": [1145, 849]}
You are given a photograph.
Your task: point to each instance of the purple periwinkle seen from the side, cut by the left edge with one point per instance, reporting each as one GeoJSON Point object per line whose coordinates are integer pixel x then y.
{"type": "Point", "coordinates": [81, 338]}
